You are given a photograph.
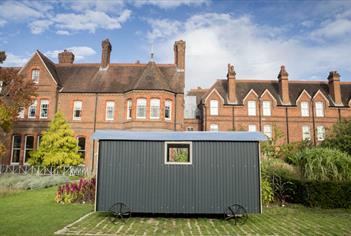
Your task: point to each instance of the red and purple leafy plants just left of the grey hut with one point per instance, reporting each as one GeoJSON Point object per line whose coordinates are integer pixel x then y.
{"type": "Point", "coordinates": [77, 192]}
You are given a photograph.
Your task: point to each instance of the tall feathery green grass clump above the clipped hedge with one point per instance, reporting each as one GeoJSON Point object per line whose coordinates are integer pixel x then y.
{"type": "Point", "coordinates": [323, 164]}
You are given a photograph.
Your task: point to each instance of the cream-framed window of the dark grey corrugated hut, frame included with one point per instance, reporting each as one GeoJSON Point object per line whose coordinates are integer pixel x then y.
{"type": "Point", "coordinates": [178, 152]}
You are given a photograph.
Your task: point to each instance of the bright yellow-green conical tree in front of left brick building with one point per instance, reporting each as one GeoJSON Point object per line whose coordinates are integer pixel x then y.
{"type": "Point", "coordinates": [58, 146]}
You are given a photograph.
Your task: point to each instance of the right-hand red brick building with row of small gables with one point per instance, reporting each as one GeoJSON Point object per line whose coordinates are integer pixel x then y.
{"type": "Point", "coordinates": [299, 109]}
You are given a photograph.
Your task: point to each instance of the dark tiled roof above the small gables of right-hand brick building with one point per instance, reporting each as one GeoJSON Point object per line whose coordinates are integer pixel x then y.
{"type": "Point", "coordinates": [243, 87]}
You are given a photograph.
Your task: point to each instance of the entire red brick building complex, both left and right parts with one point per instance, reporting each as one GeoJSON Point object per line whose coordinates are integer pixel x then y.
{"type": "Point", "coordinates": [151, 97]}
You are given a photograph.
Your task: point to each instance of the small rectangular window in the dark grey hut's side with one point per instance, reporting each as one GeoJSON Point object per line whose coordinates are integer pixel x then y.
{"type": "Point", "coordinates": [178, 153]}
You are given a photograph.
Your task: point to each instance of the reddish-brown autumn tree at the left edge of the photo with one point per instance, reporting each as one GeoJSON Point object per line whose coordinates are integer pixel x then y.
{"type": "Point", "coordinates": [14, 94]}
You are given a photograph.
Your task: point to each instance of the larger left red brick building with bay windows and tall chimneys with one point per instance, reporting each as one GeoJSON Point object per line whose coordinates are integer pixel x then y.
{"type": "Point", "coordinates": [99, 96]}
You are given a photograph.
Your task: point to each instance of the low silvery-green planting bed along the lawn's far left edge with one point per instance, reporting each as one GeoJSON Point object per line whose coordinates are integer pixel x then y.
{"type": "Point", "coordinates": [12, 181]}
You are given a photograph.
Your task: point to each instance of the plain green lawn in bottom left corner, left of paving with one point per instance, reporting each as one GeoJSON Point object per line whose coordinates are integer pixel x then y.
{"type": "Point", "coordinates": [35, 212]}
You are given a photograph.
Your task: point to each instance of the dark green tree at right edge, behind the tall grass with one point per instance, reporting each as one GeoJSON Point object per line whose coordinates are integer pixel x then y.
{"type": "Point", "coordinates": [339, 137]}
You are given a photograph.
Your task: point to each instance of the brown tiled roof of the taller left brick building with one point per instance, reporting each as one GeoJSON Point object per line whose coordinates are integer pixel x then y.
{"type": "Point", "coordinates": [116, 78]}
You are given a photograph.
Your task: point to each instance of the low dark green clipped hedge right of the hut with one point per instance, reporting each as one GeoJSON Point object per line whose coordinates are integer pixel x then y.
{"type": "Point", "coordinates": [327, 194]}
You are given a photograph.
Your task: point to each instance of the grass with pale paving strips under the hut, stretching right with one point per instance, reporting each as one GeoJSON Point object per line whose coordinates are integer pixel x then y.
{"type": "Point", "coordinates": [292, 220]}
